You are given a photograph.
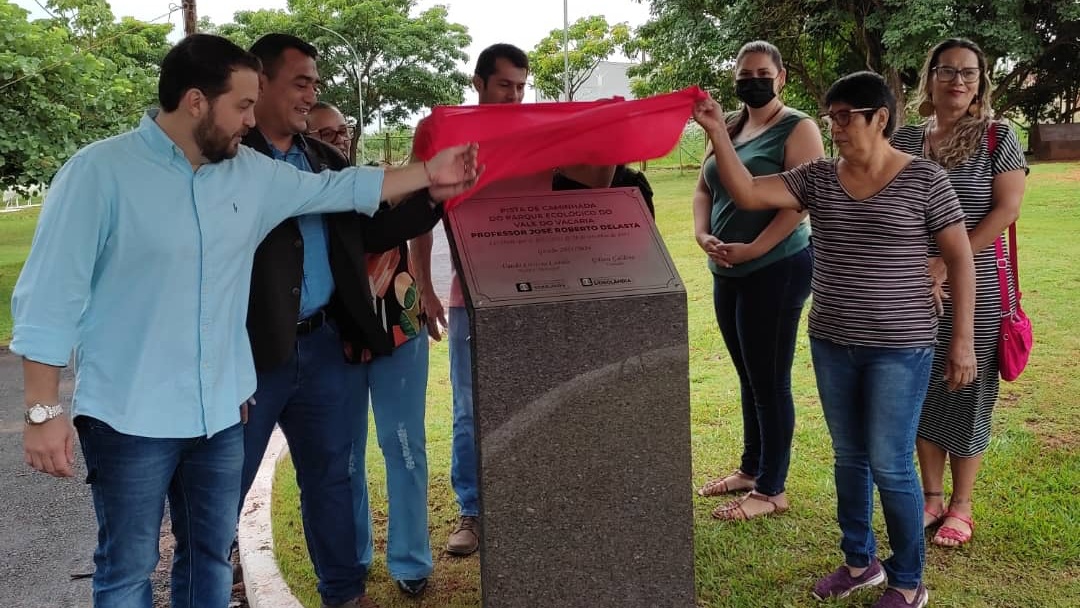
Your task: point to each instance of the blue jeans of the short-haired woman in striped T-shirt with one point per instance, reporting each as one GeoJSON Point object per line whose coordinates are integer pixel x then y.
{"type": "Point", "coordinates": [872, 399]}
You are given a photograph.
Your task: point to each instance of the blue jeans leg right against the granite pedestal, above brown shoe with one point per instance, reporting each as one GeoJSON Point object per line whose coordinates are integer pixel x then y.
{"type": "Point", "coordinates": [464, 466]}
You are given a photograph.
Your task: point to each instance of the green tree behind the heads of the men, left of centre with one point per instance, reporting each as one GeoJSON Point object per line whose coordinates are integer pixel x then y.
{"type": "Point", "coordinates": [407, 63]}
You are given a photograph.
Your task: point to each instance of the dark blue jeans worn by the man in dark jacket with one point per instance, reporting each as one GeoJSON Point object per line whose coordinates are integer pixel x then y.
{"type": "Point", "coordinates": [308, 397]}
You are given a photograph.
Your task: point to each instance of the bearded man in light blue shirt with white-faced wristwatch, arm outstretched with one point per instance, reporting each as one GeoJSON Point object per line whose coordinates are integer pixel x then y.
{"type": "Point", "coordinates": [142, 264]}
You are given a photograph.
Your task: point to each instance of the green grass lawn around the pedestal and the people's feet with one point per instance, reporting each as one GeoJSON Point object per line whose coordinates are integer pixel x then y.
{"type": "Point", "coordinates": [1027, 549]}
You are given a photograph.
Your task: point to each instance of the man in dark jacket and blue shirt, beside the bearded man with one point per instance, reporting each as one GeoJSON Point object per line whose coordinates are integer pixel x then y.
{"type": "Point", "coordinates": [310, 292]}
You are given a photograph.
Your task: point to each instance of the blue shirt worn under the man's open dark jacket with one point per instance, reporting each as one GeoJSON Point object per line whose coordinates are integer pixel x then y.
{"type": "Point", "coordinates": [318, 286]}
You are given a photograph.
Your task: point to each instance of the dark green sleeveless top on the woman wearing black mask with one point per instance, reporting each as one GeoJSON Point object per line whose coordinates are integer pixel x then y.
{"type": "Point", "coordinates": [763, 156]}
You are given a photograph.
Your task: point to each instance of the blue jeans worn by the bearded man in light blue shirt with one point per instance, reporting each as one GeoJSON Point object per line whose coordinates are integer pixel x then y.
{"type": "Point", "coordinates": [130, 479]}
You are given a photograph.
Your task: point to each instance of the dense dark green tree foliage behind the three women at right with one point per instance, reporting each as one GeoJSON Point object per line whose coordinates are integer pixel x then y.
{"type": "Point", "coordinates": [695, 42]}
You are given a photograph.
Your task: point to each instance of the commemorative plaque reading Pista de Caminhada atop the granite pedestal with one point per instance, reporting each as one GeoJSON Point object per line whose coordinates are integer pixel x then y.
{"type": "Point", "coordinates": [558, 247]}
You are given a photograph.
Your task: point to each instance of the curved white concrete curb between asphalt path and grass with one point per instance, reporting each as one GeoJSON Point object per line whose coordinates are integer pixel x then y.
{"type": "Point", "coordinates": [263, 582]}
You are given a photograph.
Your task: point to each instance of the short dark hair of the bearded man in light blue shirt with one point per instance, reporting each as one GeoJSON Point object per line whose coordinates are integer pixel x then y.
{"type": "Point", "coordinates": [202, 62]}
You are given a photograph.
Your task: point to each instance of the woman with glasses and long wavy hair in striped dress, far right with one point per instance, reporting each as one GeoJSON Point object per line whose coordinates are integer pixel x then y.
{"type": "Point", "coordinates": [988, 170]}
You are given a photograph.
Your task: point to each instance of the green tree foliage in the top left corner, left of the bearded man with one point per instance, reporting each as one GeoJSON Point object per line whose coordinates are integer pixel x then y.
{"type": "Point", "coordinates": [70, 80]}
